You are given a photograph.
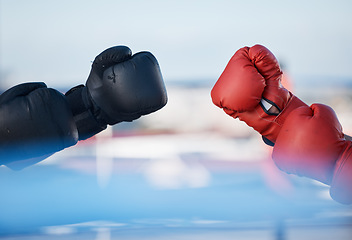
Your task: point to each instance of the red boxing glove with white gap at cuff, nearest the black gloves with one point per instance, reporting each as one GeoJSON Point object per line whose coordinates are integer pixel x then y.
{"type": "Point", "coordinates": [250, 89]}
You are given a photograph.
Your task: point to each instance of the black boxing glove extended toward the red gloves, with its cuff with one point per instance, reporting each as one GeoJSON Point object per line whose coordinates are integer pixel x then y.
{"type": "Point", "coordinates": [120, 87]}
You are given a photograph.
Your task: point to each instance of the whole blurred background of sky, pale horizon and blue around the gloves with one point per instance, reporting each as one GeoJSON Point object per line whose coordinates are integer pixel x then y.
{"type": "Point", "coordinates": [187, 171]}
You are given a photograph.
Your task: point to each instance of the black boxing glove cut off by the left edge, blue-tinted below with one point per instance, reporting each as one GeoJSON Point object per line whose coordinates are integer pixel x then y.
{"type": "Point", "coordinates": [35, 122]}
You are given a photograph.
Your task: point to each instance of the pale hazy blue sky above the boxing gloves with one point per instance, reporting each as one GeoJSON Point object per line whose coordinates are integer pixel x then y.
{"type": "Point", "coordinates": [56, 41]}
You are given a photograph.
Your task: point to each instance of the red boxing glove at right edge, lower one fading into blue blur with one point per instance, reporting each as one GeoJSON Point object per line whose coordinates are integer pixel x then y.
{"type": "Point", "coordinates": [311, 144]}
